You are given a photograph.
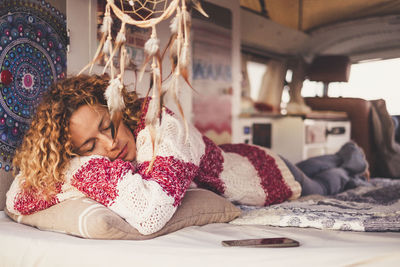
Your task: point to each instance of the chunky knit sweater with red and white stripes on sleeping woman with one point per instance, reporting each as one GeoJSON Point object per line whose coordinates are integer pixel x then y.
{"type": "Point", "coordinates": [148, 197]}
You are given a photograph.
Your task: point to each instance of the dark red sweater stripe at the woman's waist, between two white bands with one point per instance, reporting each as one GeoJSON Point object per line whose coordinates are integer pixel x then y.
{"type": "Point", "coordinates": [211, 166]}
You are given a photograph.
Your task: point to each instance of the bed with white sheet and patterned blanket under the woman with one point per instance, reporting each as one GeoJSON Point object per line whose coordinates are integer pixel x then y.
{"type": "Point", "coordinates": [371, 238]}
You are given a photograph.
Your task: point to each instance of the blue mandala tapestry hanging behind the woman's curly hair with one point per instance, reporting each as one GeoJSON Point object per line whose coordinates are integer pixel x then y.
{"type": "Point", "coordinates": [33, 46]}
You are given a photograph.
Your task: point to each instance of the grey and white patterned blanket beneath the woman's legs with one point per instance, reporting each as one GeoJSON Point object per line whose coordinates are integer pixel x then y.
{"type": "Point", "coordinates": [373, 208]}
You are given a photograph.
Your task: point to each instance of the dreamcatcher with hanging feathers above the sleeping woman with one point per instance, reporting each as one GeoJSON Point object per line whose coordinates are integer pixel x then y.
{"type": "Point", "coordinates": [147, 14]}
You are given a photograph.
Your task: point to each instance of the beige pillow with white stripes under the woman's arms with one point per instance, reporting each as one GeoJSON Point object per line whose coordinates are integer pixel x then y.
{"type": "Point", "coordinates": [86, 218]}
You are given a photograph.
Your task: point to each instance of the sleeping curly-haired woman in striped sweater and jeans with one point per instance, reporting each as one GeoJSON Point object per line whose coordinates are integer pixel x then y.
{"type": "Point", "coordinates": [73, 149]}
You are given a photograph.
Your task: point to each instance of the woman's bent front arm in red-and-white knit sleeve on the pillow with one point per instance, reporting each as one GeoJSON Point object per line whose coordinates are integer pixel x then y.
{"type": "Point", "coordinates": [142, 202]}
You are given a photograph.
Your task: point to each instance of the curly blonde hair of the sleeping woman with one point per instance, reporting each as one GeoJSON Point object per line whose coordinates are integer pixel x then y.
{"type": "Point", "coordinates": [46, 148]}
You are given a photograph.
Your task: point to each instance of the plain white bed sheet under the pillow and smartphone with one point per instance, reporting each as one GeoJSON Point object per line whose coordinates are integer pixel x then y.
{"type": "Point", "coordinates": [24, 246]}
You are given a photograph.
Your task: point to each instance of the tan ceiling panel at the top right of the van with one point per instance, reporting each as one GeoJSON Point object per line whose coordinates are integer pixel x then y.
{"type": "Point", "coordinates": [306, 15]}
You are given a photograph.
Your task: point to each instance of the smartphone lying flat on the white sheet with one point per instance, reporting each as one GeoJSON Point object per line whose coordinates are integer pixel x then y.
{"type": "Point", "coordinates": [278, 242]}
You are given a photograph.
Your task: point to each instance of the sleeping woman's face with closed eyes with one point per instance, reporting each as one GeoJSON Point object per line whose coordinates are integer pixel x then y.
{"type": "Point", "coordinates": [91, 133]}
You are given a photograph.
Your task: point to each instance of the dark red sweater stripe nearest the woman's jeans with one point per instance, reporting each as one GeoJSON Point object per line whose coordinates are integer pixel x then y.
{"type": "Point", "coordinates": [271, 177]}
